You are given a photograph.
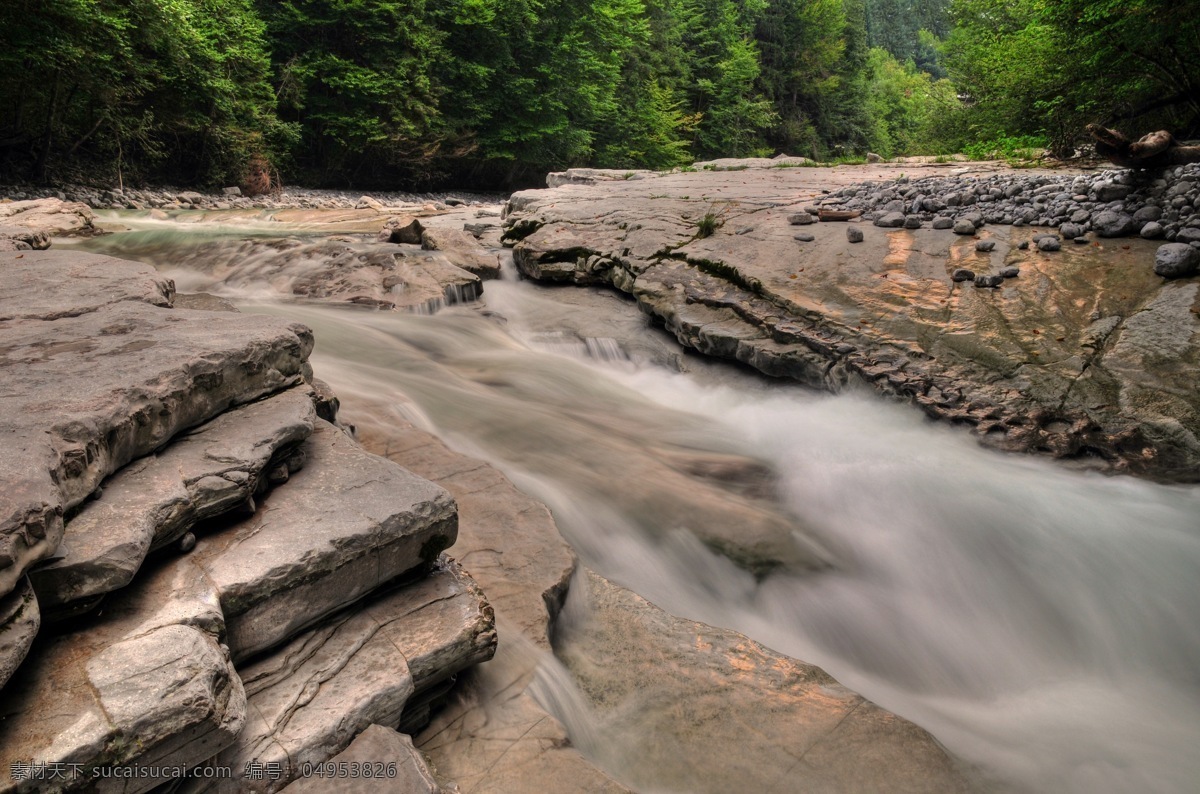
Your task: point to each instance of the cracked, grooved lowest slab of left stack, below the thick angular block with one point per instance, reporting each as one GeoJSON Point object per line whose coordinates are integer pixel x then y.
{"type": "Point", "coordinates": [310, 699]}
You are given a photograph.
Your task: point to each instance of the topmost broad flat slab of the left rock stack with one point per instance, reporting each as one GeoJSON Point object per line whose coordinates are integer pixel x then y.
{"type": "Point", "coordinates": [109, 375]}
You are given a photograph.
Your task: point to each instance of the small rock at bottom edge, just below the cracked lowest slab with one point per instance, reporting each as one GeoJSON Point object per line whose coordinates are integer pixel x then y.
{"type": "Point", "coordinates": [405, 771]}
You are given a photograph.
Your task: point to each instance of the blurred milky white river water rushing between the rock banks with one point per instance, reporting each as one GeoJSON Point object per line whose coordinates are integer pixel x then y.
{"type": "Point", "coordinates": [1041, 623]}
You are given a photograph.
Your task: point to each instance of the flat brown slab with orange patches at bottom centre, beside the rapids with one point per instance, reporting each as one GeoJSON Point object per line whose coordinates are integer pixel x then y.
{"type": "Point", "coordinates": [647, 673]}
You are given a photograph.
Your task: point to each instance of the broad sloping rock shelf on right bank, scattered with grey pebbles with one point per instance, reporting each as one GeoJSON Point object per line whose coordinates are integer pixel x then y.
{"type": "Point", "coordinates": [1016, 362]}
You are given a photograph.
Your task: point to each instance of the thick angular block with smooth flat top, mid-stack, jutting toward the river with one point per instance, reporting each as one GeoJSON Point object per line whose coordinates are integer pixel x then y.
{"type": "Point", "coordinates": [341, 527]}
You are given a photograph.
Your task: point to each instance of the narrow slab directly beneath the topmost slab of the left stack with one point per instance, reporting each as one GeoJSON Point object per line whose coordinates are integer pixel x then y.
{"type": "Point", "coordinates": [152, 503]}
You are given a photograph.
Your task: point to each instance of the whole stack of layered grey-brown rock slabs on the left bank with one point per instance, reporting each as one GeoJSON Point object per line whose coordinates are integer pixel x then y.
{"type": "Point", "coordinates": [267, 590]}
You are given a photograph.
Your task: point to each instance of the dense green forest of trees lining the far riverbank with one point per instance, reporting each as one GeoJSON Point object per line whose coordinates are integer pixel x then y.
{"type": "Point", "coordinates": [496, 93]}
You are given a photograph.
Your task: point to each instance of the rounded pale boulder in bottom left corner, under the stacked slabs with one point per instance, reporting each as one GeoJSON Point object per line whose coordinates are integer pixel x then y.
{"type": "Point", "coordinates": [148, 683]}
